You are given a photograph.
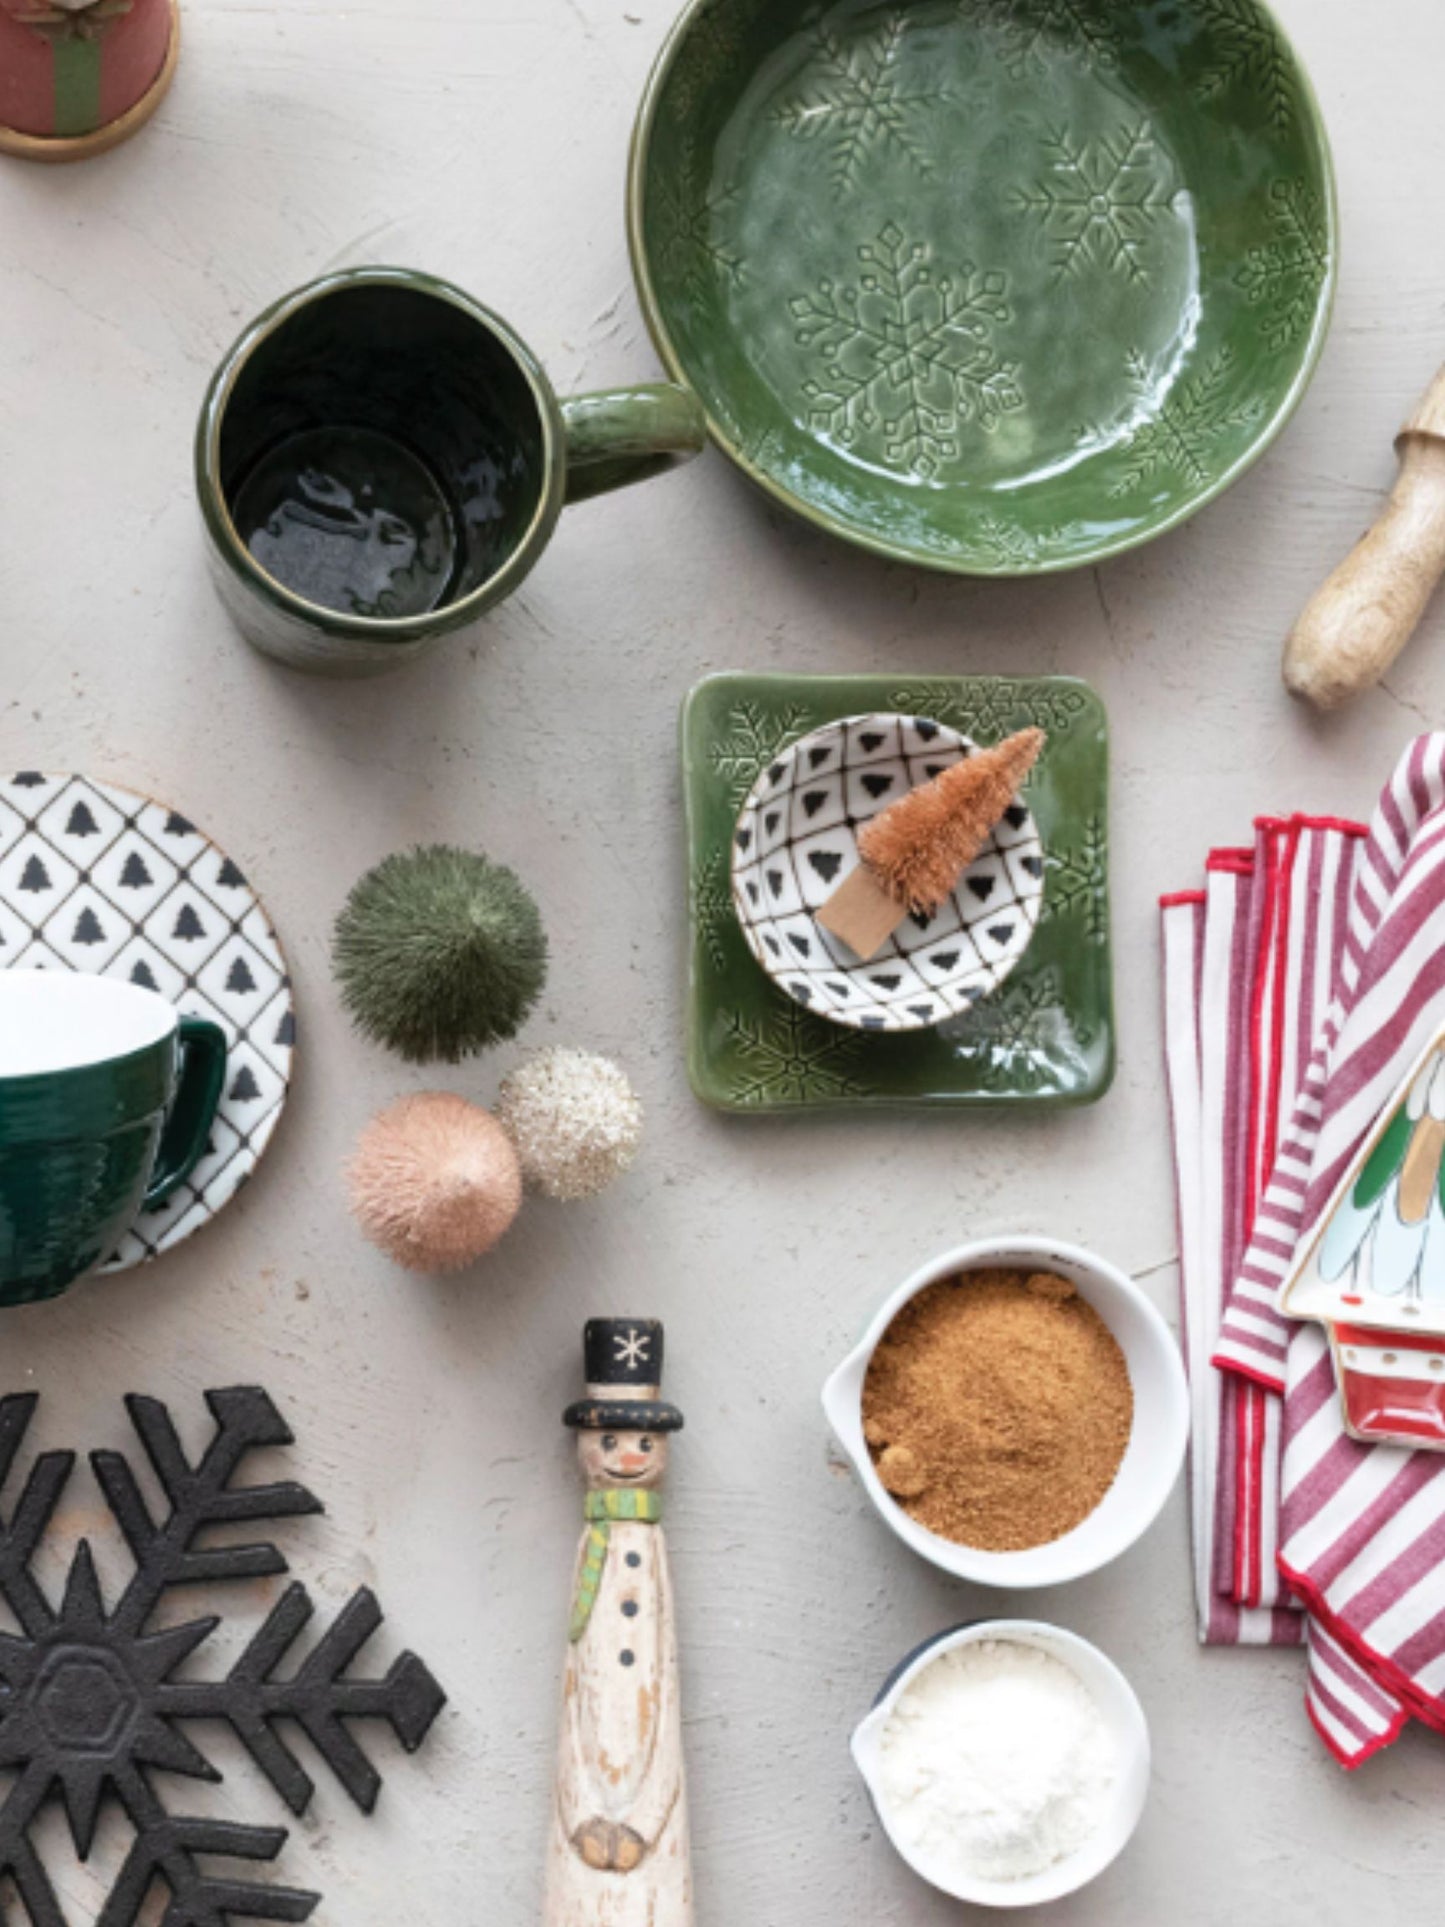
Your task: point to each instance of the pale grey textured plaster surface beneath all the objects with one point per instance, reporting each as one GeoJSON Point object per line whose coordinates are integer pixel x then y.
{"type": "Point", "coordinates": [486, 140]}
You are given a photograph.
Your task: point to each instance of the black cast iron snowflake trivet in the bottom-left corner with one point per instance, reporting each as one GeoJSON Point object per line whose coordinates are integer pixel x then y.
{"type": "Point", "coordinates": [90, 1701]}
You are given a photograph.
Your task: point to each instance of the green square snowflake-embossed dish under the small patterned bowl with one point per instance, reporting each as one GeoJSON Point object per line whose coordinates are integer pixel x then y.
{"type": "Point", "coordinates": [1043, 1038]}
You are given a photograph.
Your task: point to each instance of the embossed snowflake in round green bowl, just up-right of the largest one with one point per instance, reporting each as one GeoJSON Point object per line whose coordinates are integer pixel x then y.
{"type": "Point", "coordinates": [1103, 201]}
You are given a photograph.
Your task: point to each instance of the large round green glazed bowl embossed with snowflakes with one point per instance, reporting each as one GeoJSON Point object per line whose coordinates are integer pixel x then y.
{"type": "Point", "coordinates": [993, 286]}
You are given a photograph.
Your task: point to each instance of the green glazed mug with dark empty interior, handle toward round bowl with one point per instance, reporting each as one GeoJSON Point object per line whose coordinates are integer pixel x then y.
{"type": "Point", "coordinates": [381, 460]}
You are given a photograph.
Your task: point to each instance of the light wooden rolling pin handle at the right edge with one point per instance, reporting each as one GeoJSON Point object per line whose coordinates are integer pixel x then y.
{"type": "Point", "coordinates": [1369, 610]}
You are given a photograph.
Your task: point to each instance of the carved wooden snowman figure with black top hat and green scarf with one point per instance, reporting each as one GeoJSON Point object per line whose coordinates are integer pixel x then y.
{"type": "Point", "coordinates": [619, 1835]}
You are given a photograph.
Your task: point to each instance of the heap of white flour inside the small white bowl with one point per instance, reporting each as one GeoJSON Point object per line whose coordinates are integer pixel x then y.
{"type": "Point", "coordinates": [997, 1762]}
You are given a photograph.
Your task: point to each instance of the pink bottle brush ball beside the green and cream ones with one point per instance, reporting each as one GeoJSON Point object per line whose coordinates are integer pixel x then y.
{"type": "Point", "coordinates": [434, 1182]}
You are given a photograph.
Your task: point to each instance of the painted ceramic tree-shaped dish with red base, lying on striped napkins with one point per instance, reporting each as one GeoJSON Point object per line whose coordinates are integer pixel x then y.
{"type": "Point", "coordinates": [1375, 1269]}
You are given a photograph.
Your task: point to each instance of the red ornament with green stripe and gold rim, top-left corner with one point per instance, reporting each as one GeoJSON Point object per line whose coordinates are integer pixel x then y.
{"type": "Point", "coordinates": [78, 76]}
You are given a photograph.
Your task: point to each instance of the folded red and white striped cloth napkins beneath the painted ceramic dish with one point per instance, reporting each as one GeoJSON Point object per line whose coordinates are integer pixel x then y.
{"type": "Point", "coordinates": [1300, 988]}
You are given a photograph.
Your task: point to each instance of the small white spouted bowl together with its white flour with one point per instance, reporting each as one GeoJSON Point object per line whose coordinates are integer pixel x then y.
{"type": "Point", "coordinates": [1009, 1762]}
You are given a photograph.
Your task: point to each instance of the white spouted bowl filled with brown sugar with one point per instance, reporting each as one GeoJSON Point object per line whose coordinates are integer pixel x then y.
{"type": "Point", "coordinates": [1016, 1412]}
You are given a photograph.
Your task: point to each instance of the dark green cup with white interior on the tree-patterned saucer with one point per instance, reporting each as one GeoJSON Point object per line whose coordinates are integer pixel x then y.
{"type": "Point", "coordinates": [107, 1103]}
